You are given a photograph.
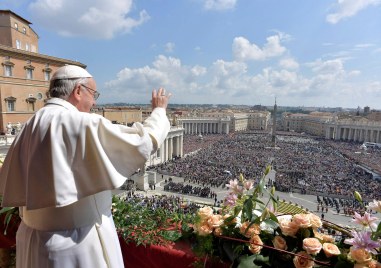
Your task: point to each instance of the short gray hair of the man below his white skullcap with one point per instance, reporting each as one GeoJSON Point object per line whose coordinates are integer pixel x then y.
{"type": "Point", "coordinates": [62, 88]}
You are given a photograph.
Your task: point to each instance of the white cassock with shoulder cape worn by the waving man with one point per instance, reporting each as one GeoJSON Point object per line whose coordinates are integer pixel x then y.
{"type": "Point", "coordinates": [60, 170]}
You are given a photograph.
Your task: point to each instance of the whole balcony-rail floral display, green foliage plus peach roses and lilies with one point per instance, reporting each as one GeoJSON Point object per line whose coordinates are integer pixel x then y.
{"type": "Point", "coordinates": [248, 232]}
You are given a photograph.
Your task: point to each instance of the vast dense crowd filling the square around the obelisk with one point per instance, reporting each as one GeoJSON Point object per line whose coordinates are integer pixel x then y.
{"type": "Point", "coordinates": [302, 163]}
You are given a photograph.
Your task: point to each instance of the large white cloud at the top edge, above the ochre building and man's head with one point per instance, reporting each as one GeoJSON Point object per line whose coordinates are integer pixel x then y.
{"type": "Point", "coordinates": [97, 19]}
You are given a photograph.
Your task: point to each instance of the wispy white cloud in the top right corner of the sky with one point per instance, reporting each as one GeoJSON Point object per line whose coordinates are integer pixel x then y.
{"type": "Point", "coordinates": [348, 8]}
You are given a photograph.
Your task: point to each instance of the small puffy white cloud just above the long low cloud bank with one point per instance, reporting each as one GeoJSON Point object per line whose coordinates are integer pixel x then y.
{"type": "Point", "coordinates": [243, 50]}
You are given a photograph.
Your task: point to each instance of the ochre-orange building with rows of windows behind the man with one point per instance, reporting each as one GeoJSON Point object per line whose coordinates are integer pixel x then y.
{"type": "Point", "coordinates": [25, 73]}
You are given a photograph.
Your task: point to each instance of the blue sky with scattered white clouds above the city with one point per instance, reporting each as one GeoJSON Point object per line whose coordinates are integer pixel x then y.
{"type": "Point", "coordinates": [322, 53]}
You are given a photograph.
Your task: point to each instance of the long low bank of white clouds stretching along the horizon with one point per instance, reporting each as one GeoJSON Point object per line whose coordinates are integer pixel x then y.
{"type": "Point", "coordinates": [317, 83]}
